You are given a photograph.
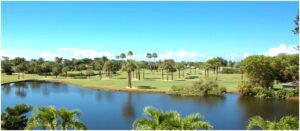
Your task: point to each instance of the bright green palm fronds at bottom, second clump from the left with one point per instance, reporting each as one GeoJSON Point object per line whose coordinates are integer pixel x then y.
{"type": "Point", "coordinates": [52, 119]}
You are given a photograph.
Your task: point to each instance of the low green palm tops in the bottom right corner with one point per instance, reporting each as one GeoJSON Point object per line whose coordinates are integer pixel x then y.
{"type": "Point", "coordinates": [285, 123]}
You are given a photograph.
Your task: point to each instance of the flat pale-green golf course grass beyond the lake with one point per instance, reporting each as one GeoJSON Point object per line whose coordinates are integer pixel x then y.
{"type": "Point", "coordinates": [152, 81]}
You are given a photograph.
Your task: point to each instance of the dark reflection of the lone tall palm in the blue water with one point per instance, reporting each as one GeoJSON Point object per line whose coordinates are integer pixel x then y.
{"type": "Point", "coordinates": [128, 110]}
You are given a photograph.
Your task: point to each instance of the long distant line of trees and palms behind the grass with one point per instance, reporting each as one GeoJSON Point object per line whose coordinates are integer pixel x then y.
{"type": "Point", "coordinates": [108, 67]}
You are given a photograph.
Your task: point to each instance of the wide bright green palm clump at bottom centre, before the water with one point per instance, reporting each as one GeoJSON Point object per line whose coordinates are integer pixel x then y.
{"type": "Point", "coordinates": [158, 120]}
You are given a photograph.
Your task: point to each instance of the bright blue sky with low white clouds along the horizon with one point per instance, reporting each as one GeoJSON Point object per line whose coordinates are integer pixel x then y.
{"type": "Point", "coordinates": [179, 30]}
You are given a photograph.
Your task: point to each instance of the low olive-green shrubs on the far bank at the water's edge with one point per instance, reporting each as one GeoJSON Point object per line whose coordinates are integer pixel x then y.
{"type": "Point", "coordinates": [199, 88]}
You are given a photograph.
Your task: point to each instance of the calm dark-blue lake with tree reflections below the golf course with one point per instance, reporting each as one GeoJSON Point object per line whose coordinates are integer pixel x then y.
{"type": "Point", "coordinates": [118, 110]}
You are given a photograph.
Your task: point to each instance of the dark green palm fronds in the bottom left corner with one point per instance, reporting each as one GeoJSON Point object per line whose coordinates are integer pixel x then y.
{"type": "Point", "coordinates": [15, 118]}
